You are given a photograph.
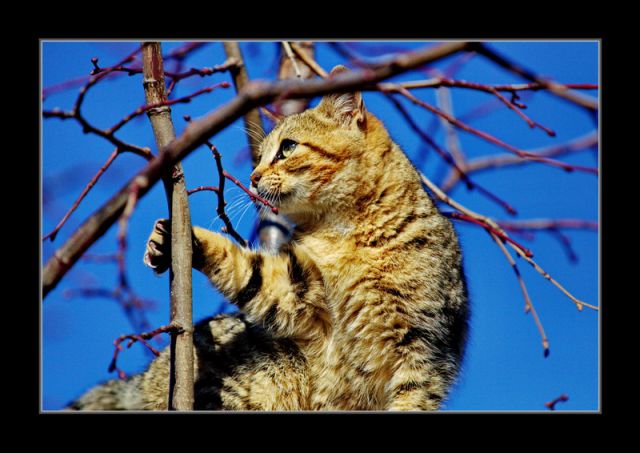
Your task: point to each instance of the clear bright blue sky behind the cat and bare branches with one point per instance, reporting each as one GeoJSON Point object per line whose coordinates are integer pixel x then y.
{"type": "Point", "coordinates": [504, 368]}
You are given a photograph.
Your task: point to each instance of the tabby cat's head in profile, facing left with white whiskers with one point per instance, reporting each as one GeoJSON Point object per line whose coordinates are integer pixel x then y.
{"type": "Point", "coordinates": [310, 163]}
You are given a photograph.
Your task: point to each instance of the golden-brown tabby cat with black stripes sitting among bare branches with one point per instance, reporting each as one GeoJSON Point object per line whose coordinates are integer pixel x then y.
{"type": "Point", "coordinates": [365, 309]}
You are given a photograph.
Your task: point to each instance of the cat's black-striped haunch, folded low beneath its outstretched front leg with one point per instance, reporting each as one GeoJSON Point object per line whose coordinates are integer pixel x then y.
{"type": "Point", "coordinates": [238, 366]}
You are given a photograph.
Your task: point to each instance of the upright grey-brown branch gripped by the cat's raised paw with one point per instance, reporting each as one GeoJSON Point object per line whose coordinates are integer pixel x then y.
{"type": "Point", "coordinates": [181, 374]}
